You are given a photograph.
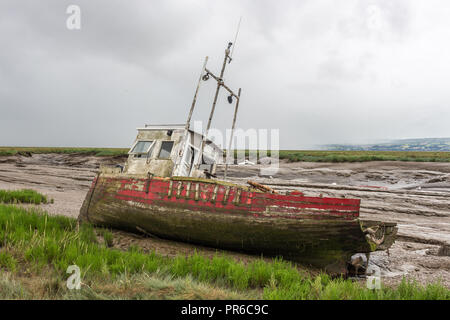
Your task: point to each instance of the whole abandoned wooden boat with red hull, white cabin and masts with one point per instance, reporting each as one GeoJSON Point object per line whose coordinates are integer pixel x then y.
{"type": "Point", "coordinates": [167, 189]}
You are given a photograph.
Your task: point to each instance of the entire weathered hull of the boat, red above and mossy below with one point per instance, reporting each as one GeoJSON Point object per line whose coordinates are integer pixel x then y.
{"type": "Point", "coordinates": [294, 227]}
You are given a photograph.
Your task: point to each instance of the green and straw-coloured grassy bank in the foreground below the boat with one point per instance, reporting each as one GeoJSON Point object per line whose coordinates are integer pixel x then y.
{"type": "Point", "coordinates": [39, 247]}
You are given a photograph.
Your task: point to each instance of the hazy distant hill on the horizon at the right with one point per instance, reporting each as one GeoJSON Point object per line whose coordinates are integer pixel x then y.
{"type": "Point", "coordinates": [425, 144]}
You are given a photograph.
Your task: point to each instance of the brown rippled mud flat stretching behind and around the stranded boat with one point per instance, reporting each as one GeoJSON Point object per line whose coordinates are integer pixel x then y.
{"type": "Point", "coordinates": [415, 195]}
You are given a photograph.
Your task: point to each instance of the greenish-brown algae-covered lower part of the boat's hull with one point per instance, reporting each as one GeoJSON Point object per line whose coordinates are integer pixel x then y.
{"type": "Point", "coordinates": [325, 243]}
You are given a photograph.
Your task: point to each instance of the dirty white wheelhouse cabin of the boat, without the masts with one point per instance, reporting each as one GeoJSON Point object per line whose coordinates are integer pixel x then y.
{"type": "Point", "coordinates": [171, 150]}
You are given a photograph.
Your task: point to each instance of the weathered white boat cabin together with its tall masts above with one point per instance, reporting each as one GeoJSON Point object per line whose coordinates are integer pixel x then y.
{"type": "Point", "coordinates": [175, 150]}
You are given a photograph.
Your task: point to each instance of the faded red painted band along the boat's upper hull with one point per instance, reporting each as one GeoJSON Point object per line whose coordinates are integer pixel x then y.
{"type": "Point", "coordinates": [173, 192]}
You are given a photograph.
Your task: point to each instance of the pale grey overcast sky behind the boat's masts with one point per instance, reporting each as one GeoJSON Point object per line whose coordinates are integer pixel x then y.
{"type": "Point", "coordinates": [321, 71]}
